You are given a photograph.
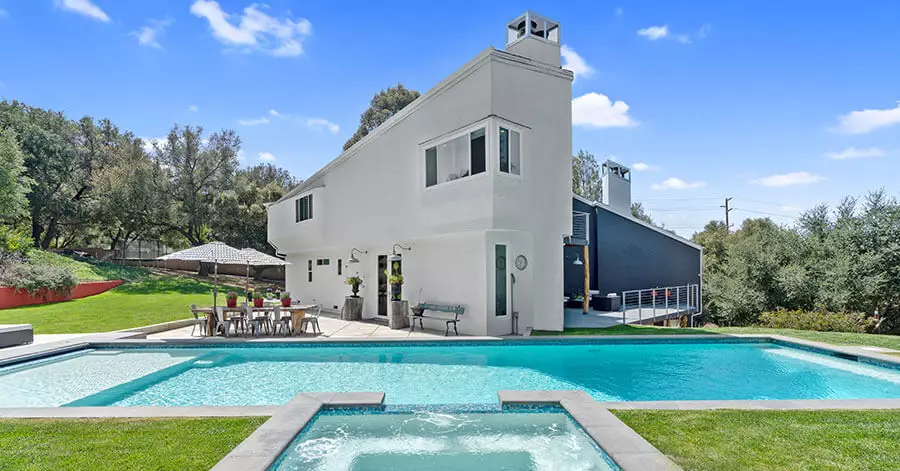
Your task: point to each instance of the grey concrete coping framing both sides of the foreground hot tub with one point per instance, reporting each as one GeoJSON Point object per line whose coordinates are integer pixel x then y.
{"type": "Point", "coordinates": [624, 446]}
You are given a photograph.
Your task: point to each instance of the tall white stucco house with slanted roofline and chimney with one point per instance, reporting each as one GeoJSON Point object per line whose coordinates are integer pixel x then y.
{"type": "Point", "coordinates": [470, 185]}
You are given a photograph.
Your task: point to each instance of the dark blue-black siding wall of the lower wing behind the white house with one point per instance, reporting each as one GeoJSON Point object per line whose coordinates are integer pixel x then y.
{"type": "Point", "coordinates": [626, 255]}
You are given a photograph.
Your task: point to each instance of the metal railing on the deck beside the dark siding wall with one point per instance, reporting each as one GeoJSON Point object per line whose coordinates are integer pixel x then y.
{"type": "Point", "coordinates": [662, 302]}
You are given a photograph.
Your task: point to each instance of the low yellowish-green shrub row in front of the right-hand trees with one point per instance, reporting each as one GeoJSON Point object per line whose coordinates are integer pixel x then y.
{"type": "Point", "coordinates": [819, 320]}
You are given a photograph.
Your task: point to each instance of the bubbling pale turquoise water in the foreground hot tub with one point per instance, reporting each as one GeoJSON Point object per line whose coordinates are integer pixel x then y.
{"type": "Point", "coordinates": [545, 441]}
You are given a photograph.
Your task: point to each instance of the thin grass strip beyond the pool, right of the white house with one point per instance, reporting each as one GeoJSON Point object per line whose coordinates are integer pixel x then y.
{"type": "Point", "coordinates": [834, 338]}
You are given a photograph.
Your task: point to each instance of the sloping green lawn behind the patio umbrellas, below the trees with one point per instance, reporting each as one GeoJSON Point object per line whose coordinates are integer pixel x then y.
{"type": "Point", "coordinates": [149, 300]}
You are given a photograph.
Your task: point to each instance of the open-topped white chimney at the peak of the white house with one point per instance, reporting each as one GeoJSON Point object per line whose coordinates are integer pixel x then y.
{"type": "Point", "coordinates": [534, 37]}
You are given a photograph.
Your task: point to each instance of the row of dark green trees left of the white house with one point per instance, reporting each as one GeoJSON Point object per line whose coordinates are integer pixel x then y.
{"type": "Point", "coordinates": [88, 183]}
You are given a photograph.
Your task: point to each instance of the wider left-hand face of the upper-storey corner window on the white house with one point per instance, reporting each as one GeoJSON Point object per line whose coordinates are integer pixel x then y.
{"type": "Point", "coordinates": [457, 158]}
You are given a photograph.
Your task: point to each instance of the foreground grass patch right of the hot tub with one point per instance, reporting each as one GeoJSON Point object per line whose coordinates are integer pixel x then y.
{"type": "Point", "coordinates": [772, 440]}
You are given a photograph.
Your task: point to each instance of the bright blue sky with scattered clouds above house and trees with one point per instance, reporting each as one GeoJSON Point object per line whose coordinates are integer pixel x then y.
{"type": "Point", "coordinates": [778, 105]}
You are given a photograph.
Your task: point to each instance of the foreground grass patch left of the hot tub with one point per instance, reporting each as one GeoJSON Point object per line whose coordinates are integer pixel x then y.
{"type": "Point", "coordinates": [121, 444]}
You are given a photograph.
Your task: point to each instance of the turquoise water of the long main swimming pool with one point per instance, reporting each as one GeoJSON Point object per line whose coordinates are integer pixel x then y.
{"type": "Point", "coordinates": [442, 374]}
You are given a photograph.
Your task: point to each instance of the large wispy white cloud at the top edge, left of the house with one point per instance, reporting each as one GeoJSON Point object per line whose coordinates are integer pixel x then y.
{"type": "Point", "coordinates": [255, 30]}
